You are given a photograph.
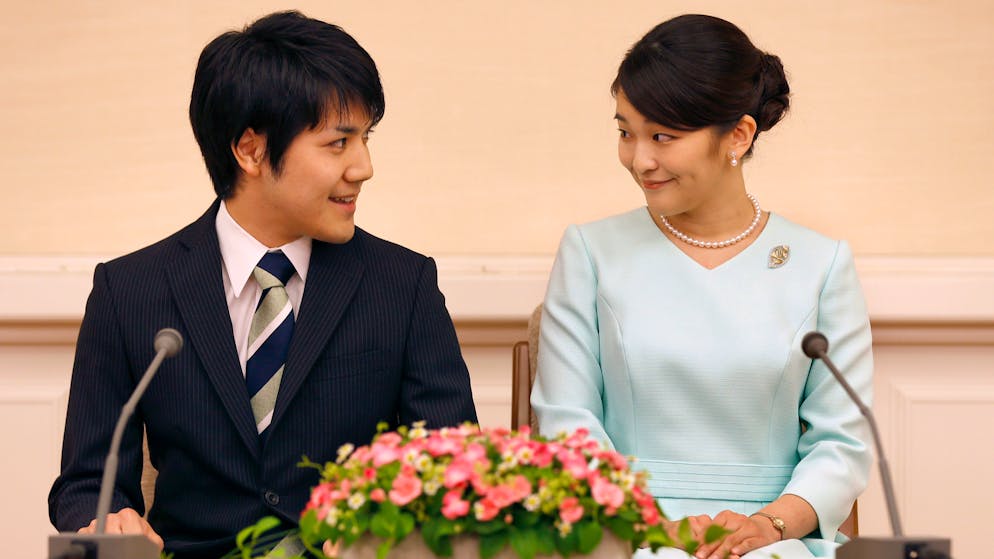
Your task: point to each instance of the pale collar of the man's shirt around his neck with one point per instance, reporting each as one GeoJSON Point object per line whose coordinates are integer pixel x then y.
{"type": "Point", "coordinates": [240, 251]}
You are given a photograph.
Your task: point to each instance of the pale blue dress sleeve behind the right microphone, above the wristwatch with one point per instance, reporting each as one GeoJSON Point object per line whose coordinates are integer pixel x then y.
{"type": "Point", "coordinates": [834, 450]}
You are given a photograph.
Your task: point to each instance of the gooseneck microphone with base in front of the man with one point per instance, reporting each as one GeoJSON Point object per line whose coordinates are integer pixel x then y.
{"type": "Point", "coordinates": [168, 342]}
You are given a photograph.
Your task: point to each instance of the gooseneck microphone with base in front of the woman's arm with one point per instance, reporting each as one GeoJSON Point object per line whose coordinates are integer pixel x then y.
{"type": "Point", "coordinates": [815, 346]}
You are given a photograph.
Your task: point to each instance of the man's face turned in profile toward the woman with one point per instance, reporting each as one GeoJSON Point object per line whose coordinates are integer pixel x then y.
{"type": "Point", "coordinates": [316, 192]}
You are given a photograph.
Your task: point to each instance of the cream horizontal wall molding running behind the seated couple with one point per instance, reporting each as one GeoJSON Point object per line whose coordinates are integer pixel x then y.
{"type": "Point", "coordinates": [912, 300]}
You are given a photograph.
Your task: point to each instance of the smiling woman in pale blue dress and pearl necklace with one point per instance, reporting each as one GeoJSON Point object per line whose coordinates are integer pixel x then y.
{"type": "Point", "coordinates": [673, 331]}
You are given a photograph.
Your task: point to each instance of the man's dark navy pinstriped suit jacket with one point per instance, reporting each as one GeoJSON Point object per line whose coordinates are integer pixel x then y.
{"type": "Point", "coordinates": [373, 342]}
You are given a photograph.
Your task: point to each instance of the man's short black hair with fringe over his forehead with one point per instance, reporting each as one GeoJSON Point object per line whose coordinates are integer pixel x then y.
{"type": "Point", "coordinates": [277, 76]}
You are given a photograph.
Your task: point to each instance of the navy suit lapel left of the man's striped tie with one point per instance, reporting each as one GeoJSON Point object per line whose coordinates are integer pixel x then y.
{"type": "Point", "coordinates": [198, 289]}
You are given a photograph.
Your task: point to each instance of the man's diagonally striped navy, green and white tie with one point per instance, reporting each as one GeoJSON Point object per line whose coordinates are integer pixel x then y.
{"type": "Point", "coordinates": [269, 336]}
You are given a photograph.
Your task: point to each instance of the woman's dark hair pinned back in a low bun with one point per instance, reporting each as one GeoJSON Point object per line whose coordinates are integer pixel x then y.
{"type": "Point", "coordinates": [696, 71]}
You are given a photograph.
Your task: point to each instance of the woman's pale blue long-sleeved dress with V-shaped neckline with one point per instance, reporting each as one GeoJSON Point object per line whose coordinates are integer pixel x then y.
{"type": "Point", "coordinates": [700, 375]}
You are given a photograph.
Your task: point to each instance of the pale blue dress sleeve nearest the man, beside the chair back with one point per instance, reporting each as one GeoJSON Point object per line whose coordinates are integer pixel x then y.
{"type": "Point", "coordinates": [569, 385]}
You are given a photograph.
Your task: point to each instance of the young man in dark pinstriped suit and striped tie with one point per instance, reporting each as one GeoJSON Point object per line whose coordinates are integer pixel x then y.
{"type": "Point", "coordinates": [302, 332]}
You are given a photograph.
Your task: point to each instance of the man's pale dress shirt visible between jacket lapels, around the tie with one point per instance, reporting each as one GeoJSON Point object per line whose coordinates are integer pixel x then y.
{"type": "Point", "coordinates": [240, 253]}
